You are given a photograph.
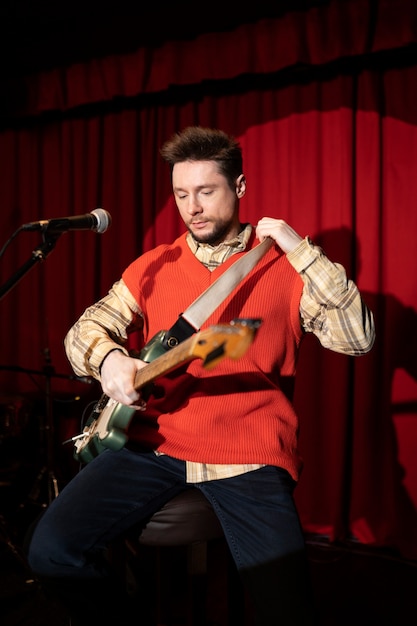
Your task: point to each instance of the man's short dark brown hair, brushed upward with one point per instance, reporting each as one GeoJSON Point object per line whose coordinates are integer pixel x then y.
{"type": "Point", "coordinates": [196, 143]}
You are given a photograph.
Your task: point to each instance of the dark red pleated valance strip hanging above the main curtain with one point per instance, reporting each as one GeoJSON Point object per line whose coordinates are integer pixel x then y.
{"type": "Point", "coordinates": [324, 34]}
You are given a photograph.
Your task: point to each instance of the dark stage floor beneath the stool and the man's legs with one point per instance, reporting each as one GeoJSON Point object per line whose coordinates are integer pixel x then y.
{"type": "Point", "coordinates": [354, 586]}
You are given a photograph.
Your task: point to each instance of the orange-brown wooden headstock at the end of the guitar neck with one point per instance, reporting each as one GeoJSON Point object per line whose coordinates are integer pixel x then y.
{"type": "Point", "coordinates": [225, 340]}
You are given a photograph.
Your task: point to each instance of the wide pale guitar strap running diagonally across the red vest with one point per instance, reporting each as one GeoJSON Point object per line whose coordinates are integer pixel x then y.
{"type": "Point", "coordinates": [191, 320]}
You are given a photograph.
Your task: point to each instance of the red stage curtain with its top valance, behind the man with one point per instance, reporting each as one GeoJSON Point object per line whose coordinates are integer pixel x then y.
{"type": "Point", "coordinates": [330, 149]}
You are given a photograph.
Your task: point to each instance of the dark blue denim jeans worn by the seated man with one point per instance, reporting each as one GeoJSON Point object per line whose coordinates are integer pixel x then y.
{"type": "Point", "coordinates": [120, 489]}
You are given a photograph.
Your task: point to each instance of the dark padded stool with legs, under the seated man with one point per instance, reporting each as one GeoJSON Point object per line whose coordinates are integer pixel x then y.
{"type": "Point", "coordinates": [187, 522]}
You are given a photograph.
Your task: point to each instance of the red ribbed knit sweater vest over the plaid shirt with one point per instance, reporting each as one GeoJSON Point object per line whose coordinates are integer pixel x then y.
{"type": "Point", "coordinates": [241, 411]}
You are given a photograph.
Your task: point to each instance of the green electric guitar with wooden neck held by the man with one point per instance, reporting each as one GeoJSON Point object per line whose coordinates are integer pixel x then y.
{"type": "Point", "coordinates": [109, 421]}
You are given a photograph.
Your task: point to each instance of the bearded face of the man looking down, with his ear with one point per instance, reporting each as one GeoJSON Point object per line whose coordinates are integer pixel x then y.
{"type": "Point", "coordinates": [207, 205]}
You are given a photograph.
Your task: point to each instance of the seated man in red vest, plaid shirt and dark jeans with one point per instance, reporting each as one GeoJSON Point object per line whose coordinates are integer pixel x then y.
{"type": "Point", "coordinates": [230, 431]}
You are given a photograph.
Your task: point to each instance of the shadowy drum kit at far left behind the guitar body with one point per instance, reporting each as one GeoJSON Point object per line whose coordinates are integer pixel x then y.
{"type": "Point", "coordinates": [28, 438]}
